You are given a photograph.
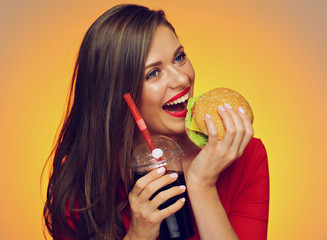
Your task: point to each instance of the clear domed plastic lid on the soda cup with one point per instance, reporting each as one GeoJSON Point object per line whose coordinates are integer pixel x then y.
{"type": "Point", "coordinates": [166, 149]}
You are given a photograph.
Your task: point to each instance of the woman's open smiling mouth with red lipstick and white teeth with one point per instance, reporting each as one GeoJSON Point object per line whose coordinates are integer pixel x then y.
{"type": "Point", "coordinates": [178, 107]}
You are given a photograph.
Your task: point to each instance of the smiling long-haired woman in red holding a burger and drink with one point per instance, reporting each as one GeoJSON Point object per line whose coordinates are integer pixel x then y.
{"type": "Point", "coordinates": [91, 194]}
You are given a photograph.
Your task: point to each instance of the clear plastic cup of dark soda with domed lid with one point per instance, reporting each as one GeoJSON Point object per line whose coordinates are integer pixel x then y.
{"type": "Point", "coordinates": [177, 226]}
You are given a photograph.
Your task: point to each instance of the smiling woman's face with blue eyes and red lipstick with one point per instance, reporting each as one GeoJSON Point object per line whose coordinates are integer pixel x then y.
{"type": "Point", "coordinates": [168, 83]}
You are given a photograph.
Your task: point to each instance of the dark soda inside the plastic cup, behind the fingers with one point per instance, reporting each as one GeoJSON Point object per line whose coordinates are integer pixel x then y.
{"type": "Point", "coordinates": [177, 226]}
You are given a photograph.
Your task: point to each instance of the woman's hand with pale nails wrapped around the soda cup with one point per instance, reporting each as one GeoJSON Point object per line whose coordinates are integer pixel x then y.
{"type": "Point", "coordinates": [145, 215]}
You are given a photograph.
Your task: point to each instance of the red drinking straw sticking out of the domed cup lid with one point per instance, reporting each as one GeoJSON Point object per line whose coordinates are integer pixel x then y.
{"type": "Point", "coordinates": [140, 122]}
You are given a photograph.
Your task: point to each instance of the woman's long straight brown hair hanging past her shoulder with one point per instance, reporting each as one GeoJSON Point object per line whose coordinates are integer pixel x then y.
{"type": "Point", "coordinates": [92, 151]}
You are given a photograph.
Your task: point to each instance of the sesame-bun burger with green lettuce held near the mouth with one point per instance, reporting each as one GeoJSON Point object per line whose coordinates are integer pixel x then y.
{"type": "Point", "coordinates": [208, 102]}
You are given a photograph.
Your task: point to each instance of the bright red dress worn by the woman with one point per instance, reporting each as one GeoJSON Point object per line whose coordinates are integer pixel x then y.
{"type": "Point", "coordinates": [243, 189]}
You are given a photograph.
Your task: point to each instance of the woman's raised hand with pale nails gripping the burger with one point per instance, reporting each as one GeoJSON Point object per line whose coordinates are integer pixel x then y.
{"type": "Point", "coordinates": [219, 154]}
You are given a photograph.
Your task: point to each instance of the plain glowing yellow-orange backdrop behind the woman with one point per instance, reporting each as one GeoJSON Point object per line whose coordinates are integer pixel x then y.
{"type": "Point", "coordinates": [273, 52]}
